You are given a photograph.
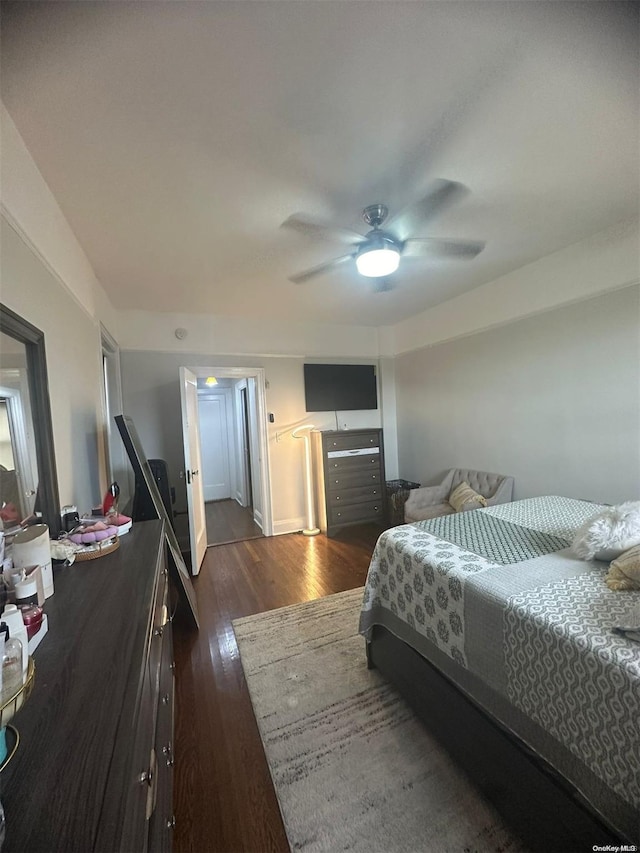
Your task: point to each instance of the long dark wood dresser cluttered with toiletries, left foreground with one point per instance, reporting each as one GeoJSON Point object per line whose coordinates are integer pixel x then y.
{"type": "Point", "coordinates": [94, 766]}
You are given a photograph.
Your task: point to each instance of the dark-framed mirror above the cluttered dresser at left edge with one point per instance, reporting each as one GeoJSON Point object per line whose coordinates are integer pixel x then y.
{"type": "Point", "coordinates": [28, 475]}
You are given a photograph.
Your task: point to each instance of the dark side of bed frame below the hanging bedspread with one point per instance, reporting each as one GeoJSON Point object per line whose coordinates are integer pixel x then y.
{"type": "Point", "coordinates": [540, 806]}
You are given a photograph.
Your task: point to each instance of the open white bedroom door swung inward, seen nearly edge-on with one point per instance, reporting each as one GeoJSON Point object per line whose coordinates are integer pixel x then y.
{"type": "Point", "coordinates": [193, 468]}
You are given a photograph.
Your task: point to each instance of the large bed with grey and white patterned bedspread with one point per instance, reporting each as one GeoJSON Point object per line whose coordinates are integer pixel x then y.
{"type": "Point", "coordinates": [503, 643]}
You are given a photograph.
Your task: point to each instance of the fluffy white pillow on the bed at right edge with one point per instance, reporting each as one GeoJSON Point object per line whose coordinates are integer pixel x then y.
{"type": "Point", "coordinates": [608, 534]}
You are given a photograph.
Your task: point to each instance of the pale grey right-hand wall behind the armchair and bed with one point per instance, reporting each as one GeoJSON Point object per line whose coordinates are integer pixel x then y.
{"type": "Point", "coordinates": [553, 400]}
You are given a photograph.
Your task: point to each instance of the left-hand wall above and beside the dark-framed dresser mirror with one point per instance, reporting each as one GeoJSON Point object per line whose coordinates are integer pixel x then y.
{"type": "Point", "coordinates": [48, 280]}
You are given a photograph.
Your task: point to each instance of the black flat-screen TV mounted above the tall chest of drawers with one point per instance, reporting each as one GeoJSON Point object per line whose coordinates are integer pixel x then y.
{"type": "Point", "coordinates": [340, 387]}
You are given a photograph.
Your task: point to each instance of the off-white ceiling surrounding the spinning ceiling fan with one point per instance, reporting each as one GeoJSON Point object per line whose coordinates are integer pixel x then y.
{"type": "Point", "coordinates": [177, 137]}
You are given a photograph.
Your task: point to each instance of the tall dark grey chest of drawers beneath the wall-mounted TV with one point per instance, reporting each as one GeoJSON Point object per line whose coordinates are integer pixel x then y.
{"type": "Point", "coordinates": [349, 478]}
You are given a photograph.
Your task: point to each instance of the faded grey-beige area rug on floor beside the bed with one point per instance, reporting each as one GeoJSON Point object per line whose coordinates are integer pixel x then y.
{"type": "Point", "coordinates": [352, 767]}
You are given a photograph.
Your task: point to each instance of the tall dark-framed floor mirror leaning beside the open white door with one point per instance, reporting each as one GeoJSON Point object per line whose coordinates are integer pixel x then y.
{"type": "Point", "coordinates": [144, 474]}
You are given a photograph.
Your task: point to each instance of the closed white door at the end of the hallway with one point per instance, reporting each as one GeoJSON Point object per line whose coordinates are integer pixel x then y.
{"type": "Point", "coordinates": [214, 443]}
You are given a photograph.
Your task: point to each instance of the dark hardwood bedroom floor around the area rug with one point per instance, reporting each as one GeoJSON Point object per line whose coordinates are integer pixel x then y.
{"type": "Point", "coordinates": [224, 799]}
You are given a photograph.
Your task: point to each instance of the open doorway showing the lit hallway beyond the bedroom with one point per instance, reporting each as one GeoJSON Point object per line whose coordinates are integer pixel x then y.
{"type": "Point", "coordinates": [234, 446]}
